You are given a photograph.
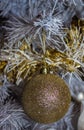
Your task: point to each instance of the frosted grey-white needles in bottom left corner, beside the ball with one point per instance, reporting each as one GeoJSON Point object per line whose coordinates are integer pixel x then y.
{"type": "Point", "coordinates": [12, 117]}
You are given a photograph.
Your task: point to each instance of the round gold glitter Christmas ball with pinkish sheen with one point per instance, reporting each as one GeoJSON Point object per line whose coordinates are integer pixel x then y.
{"type": "Point", "coordinates": [46, 98]}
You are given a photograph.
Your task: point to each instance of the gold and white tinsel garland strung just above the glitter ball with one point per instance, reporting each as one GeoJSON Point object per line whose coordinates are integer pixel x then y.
{"type": "Point", "coordinates": [25, 60]}
